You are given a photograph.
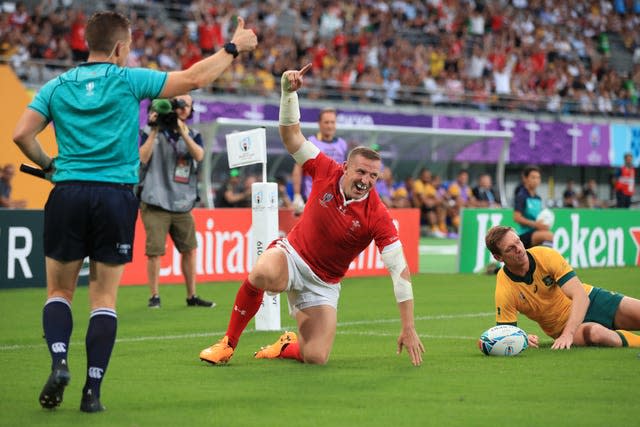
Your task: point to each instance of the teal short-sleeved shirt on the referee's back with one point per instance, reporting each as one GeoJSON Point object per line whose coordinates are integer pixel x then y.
{"type": "Point", "coordinates": [95, 108]}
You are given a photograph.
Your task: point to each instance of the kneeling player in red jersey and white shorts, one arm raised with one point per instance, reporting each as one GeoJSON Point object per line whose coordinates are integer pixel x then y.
{"type": "Point", "coordinates": [343, 214]}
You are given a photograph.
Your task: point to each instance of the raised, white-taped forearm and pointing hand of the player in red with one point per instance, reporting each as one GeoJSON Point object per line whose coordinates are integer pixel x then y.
{"type": "Point", "coordinates": [290, 132]}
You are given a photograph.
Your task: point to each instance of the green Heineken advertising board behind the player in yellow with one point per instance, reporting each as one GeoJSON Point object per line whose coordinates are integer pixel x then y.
{"type": "Point", "coordinates": [585, 237]}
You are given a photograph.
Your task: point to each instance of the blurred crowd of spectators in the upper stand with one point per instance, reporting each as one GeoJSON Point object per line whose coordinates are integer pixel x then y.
{"type": "Point", "coordinates": [532, 55]}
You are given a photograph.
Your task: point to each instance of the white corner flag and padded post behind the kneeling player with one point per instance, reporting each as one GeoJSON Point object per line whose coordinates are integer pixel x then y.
{"type": "Point", "coordinates": [246, 148]}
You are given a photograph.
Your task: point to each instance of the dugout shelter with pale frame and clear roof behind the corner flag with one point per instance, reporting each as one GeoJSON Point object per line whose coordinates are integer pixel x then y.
{"type": "Point", "coordinates": [424, 145]}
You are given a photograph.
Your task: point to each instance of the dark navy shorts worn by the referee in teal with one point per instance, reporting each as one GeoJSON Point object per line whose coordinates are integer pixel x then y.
{"type": "Point", "coordinates": [91, 219]}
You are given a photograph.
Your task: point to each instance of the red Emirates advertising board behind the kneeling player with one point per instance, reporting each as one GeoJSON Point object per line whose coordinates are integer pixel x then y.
{"type": "Point", "coordinates": [224, 247]}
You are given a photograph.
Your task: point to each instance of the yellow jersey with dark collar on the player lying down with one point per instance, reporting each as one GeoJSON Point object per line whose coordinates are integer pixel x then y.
{"type": "Point", "coordinates": [537, 294]}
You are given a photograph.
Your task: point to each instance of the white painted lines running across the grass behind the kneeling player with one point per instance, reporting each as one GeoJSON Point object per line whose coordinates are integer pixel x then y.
{"type": "Point", "coordinates": [288, 327]}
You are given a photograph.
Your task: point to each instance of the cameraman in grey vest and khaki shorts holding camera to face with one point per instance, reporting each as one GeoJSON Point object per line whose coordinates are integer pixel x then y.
{"type": "Point", "coordinates": [169, 154]}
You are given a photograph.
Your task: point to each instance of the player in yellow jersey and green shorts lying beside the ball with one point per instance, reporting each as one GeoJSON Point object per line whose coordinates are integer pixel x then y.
{"type": "Point", "coordinates": [539, 283]}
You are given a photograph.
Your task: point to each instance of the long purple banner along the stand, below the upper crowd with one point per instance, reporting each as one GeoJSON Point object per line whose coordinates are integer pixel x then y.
{"type": "Point", "coordinates": [534, 141]}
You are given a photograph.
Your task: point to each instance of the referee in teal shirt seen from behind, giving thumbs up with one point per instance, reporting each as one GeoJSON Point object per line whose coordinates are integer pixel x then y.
{"type": "Point", "coordinates": [91, 211]}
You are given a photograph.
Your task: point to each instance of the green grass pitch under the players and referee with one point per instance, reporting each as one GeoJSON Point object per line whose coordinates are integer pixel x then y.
{"type": "Point", "coordinates": [156, 379]}
